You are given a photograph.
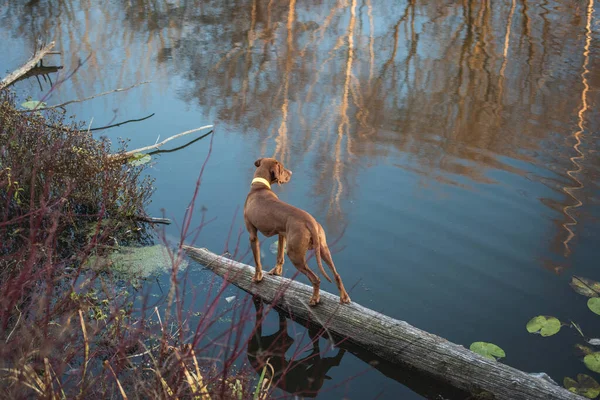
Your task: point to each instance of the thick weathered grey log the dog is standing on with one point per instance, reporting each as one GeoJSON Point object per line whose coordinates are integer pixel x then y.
{"type": "Point", "coordinates": [393, 340]}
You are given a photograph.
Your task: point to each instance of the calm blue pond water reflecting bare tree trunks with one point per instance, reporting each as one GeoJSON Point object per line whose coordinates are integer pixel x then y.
{"type": "Point", "coordinates": [452, 146]}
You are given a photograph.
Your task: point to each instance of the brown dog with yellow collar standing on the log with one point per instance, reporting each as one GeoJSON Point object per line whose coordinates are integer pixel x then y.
{"type": "Point", "coordinates": [264, 212]}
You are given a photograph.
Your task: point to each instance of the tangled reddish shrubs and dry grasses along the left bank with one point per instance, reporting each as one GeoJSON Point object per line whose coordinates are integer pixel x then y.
{"type": "Point", "coordinates": [75, 322]}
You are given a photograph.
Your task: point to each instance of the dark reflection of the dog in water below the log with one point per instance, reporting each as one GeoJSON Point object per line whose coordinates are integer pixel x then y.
{"type": "Point", "coordinates": [303, 377]}
